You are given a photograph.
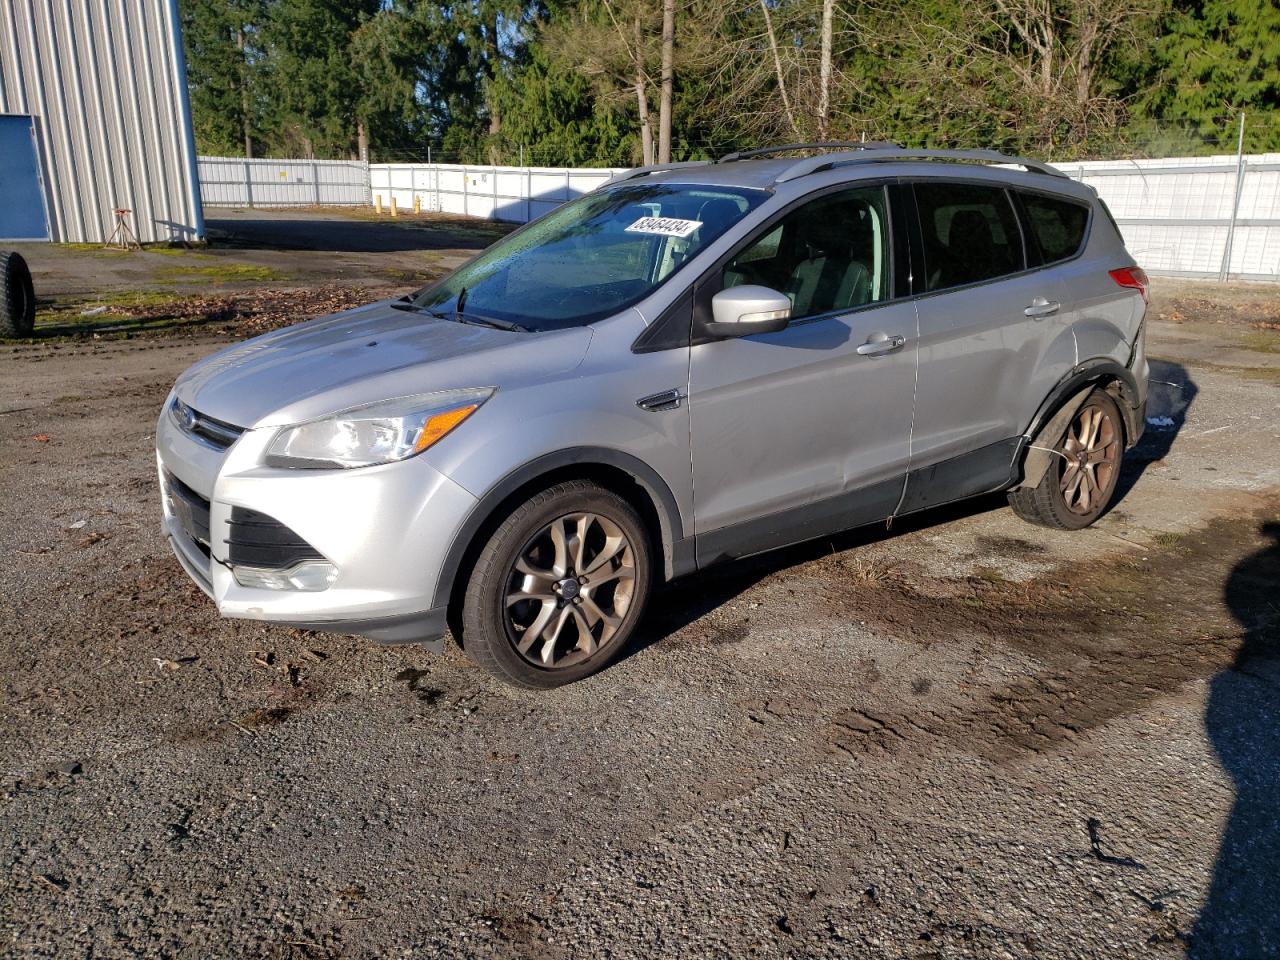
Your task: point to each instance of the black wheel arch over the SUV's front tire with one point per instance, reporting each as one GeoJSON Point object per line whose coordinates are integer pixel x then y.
{"type": "Point", "coordinates": [625, 476]}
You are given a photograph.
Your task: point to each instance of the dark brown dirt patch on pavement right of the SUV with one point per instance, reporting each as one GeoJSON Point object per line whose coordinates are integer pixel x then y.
{"type": "Point", "coordinates": [1113, 637]}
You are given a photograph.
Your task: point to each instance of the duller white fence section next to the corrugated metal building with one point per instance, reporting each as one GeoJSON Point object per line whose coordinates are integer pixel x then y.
{"type": "Point", "coordinates": [227, 181]}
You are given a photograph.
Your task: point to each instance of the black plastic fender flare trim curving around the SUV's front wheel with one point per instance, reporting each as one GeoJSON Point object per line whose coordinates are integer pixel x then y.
{"type": "Point", "coordinates": [678, 551]}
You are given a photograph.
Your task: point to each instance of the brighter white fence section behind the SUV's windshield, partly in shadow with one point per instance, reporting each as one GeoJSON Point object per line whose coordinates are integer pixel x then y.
{"type": "Point", "coordinates": [516, 194]}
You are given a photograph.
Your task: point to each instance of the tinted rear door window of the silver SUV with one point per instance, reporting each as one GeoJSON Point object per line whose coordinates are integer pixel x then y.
{"type": "Point", "coordinates": [971, 234]}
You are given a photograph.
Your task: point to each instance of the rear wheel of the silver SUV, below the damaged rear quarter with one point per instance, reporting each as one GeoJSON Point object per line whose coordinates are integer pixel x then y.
{"type": "Point", "coordinates": [1075, 492]}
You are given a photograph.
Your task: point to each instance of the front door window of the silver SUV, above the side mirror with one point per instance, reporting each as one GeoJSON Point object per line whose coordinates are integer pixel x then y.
{"type": "Point", "coordinates": [828, 257]}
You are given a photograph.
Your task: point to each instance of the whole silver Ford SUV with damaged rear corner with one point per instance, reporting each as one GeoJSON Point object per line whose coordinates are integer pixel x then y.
{"type": "Point", "coordinates": [694, 363]}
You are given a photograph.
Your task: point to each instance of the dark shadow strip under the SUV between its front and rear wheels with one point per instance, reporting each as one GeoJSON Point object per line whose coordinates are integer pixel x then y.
{"type": "Point", "coordinates": [683, 602]}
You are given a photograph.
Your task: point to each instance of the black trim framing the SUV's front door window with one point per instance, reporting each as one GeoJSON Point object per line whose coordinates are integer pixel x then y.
{"type": "Point", "coordinates": [675, 328]}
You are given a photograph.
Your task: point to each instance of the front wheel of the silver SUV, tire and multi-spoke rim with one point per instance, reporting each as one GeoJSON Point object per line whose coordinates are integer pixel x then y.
{"type": "Point", "coordinates": [606, 598]}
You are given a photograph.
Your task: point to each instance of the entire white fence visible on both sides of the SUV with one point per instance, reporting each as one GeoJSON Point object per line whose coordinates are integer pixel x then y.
{"type": "Point", "coordinates": [1176, 213]}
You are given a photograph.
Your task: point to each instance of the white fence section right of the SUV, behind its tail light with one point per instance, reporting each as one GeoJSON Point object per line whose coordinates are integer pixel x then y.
{"type": "Point", "coordinates": [1177, 213]}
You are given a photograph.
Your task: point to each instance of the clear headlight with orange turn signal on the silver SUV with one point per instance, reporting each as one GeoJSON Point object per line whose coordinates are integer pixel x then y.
{"type": "Point", "coordinates": [380, 433]}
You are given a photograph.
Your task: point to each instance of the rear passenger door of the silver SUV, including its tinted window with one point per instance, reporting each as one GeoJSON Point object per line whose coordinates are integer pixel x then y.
{"type": "Point", "coordinates": [995, 339]}
